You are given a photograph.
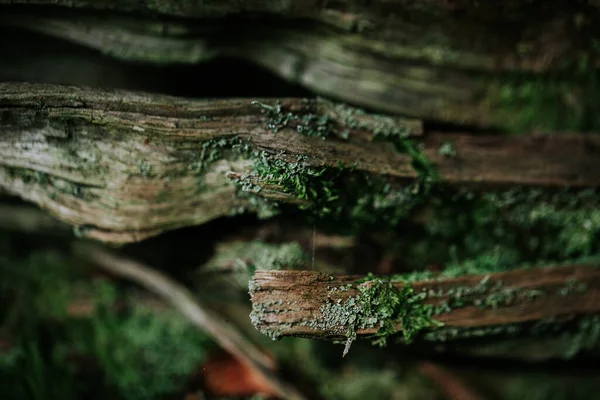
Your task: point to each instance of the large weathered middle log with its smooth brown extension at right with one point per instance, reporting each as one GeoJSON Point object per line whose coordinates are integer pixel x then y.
{"type": "Point", "coordinates": [124, 166]}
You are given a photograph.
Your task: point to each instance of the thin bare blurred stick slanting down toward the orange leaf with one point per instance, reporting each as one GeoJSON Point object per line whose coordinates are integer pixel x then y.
{"type": "Point", "coordinates": [226, 335]}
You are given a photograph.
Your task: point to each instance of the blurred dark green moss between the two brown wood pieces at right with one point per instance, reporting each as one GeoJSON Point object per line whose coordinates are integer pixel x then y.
{"type": "Point", "coordinates": [477, 233]}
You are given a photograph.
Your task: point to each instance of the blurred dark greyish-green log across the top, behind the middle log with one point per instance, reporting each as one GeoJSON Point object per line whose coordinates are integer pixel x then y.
{"type": "Point", "coordinates": [403, 61]}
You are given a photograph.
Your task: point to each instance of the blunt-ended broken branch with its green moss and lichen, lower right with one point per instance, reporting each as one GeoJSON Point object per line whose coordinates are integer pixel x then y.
{"type": "Point", "coordinates": [315, 305]}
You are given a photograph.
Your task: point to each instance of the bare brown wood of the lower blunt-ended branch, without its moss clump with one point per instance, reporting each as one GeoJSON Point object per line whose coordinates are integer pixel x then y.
{"type": "Point", "coordinates": [288, 303]}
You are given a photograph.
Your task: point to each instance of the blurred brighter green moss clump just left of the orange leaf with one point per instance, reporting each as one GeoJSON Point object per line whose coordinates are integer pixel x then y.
{"type": "Point", "coordinates": [144, 354]}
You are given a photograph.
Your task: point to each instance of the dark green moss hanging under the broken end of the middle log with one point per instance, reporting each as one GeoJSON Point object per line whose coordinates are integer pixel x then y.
{"type": "Point", "coordinates": [349, 198]}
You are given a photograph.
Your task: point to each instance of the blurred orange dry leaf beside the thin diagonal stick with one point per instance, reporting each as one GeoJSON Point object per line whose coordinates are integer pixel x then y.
{"type": "Point", "coordinates": [225, 375]}
